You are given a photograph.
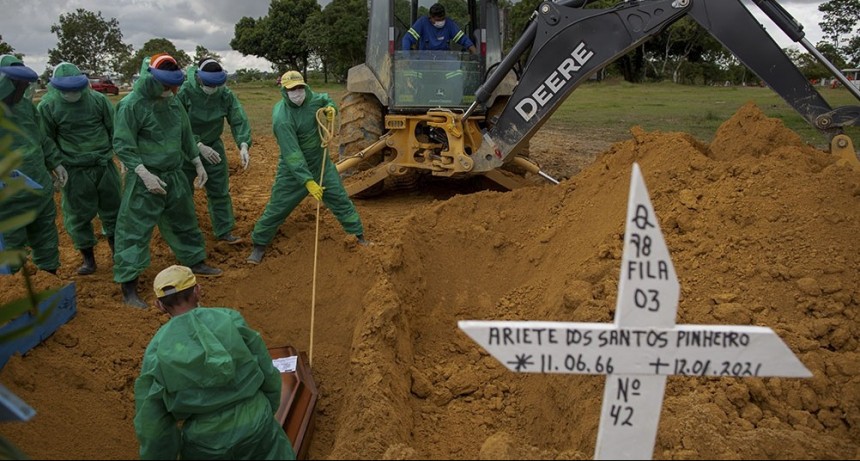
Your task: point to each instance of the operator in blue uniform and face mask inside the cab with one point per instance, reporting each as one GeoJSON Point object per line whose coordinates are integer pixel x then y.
{"type": "Point", "coordinates": [434, 32]}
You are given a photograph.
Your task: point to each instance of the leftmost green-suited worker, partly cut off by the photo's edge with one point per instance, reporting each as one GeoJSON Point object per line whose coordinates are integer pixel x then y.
{"type": "Point", "coordinates": [40, 158]}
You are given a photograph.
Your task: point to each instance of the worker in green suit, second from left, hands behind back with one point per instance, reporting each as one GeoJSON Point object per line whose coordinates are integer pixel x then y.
{"type": "Point", "coordinates": [80, 121]}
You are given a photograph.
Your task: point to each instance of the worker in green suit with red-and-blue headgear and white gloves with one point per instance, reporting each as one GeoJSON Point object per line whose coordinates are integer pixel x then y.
{"type": "Point", "coordinates": [153, 138]}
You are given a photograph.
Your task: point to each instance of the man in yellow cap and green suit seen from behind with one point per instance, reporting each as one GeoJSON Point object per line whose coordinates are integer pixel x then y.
{"type": "Point", "coordinates": [207, 387]}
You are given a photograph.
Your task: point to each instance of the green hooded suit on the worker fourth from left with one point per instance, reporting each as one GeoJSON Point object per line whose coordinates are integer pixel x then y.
{"type": "Point", "coordinates": [207, 114]}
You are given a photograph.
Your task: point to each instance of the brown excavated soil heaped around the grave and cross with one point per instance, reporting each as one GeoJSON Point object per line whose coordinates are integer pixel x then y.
{"type": "Point", "coordinates": [762, 230]}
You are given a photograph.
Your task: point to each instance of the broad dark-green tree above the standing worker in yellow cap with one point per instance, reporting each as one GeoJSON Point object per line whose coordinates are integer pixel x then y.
{"type": "Point", "coordinates": [277, 37]}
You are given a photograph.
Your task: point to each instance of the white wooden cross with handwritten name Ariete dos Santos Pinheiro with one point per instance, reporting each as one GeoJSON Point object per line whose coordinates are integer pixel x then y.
{"type": "Point", "coordinates": [642, 347]}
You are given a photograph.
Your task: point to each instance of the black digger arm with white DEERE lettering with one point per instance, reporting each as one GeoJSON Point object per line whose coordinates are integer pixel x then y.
{"type": "Point", "coordinates": [567, 44]}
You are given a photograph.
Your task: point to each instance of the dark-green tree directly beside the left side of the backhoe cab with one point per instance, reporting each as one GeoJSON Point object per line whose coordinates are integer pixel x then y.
{"type": "Point", "coordinates": [331, 35]}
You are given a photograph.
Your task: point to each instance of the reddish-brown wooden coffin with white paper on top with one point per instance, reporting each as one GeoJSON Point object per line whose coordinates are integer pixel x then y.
{"type": "Point", "coordinates": [299, 396]}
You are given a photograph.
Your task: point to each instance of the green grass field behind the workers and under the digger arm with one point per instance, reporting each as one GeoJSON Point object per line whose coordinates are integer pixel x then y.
{"type": "Point", "coordinates": [612, 108]}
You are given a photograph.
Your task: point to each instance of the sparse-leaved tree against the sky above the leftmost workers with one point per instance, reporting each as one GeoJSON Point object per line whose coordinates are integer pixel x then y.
{"type": "Point", "coordinates": [89, 41]}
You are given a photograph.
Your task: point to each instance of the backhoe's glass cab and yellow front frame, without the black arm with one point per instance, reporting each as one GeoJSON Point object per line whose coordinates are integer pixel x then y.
{"type": "Point", "coordinates": [400, 116]}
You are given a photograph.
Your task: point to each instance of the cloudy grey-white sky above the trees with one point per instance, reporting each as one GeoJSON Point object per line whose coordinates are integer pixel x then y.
{"type": "Point", "coordinates": [26, 24]}
